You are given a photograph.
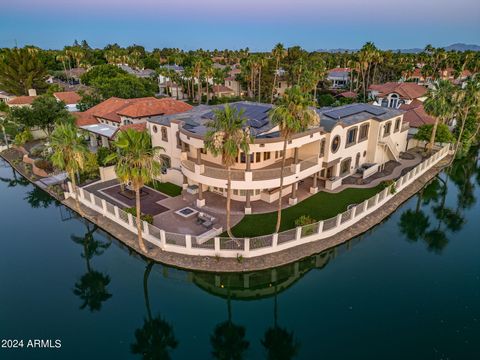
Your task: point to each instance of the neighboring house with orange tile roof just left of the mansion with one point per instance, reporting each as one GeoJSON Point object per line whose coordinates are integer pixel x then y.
{"type": "Point", "coordinates": [105, 119]}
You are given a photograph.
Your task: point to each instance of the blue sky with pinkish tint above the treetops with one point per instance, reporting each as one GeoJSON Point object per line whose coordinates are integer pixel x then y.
{"type": "Point", "coordinates": [235, 24]}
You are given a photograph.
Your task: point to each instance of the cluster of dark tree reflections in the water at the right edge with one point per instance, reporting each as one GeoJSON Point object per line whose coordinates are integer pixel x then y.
{"type": "Point", "coordinates": [434, 229]}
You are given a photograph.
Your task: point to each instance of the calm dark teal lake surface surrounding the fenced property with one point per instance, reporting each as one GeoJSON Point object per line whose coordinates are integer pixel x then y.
{"type": "Point", "coordinates": [408, 289]}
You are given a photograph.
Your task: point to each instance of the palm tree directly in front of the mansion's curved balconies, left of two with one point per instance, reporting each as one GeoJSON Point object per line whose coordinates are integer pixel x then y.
{"type": "Point", "coordinates": [227, 136]}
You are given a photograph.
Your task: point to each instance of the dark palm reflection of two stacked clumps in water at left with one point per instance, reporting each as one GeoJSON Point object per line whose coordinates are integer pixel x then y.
{"type": "Point", "coordinates": [92, 286]}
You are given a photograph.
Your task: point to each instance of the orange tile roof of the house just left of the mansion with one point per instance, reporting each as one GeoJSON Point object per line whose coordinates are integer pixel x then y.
{"type": "Point", "coordinates": [112, 108]}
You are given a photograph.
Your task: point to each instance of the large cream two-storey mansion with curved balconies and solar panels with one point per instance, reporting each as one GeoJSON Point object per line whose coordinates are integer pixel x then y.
{"type": "Point", "coordinates": [347, 138]}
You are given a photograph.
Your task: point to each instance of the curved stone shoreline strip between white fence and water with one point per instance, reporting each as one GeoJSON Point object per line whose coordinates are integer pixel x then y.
{"type": "Point", "coordinates": [213, 264]}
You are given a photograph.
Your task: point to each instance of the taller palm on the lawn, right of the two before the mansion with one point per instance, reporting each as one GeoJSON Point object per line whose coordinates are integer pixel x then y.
{"type": "Point", "coordinates": [293, 114]}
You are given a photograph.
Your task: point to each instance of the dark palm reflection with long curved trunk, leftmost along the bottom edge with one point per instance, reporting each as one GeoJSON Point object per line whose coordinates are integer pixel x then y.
{"type": "Point", "coordinates": [155, 339]}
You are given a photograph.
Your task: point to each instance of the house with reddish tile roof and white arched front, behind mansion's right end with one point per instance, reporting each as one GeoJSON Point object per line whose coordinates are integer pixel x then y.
{"type": "Point", "coordinates": [394, 94]}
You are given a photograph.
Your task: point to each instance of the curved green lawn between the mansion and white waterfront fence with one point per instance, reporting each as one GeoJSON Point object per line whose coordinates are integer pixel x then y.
{"type": "Point", "coordinates": [320, 206]}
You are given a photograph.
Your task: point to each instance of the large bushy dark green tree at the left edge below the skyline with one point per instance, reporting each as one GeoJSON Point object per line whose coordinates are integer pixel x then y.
{"type": "Point", "coordinates": [21, 70]}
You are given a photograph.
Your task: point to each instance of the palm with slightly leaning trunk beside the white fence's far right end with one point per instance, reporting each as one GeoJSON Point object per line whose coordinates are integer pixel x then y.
{"type": "Point", "coordinates": [439, 105]}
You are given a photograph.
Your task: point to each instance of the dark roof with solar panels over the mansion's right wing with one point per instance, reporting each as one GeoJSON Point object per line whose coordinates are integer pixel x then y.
{"type": "Point", "coordinates": [352, 114]}
